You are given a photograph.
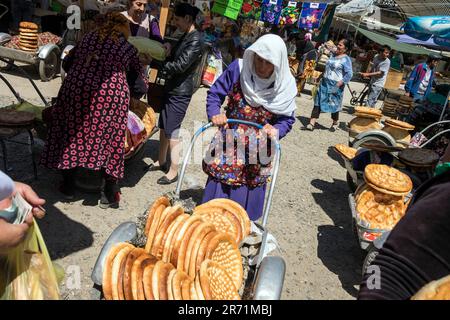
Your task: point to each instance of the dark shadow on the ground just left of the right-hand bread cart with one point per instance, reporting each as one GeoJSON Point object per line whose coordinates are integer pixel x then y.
{"type": "Point", "coordinates": [338, 248]}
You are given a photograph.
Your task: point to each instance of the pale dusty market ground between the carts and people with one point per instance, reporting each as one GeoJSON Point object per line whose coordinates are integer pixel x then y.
{"type": "Point", "coordinates": [310, 217]}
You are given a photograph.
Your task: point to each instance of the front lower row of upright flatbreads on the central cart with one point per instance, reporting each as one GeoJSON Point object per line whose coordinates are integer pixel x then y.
{"type": "Point", "coordinates": [130, 273]}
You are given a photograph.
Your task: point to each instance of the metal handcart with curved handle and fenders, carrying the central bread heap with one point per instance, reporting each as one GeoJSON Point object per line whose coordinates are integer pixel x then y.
{"type": "Point", "coordinates": [266, 275]}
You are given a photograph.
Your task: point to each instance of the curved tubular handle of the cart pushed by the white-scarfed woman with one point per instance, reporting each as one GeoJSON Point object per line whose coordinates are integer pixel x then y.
{"type": "Point", "coordinates": [274, 172]}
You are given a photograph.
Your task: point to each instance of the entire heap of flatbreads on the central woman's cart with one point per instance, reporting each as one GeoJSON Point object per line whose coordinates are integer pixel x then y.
{"type": "Point", "coordinates": [186, 257]}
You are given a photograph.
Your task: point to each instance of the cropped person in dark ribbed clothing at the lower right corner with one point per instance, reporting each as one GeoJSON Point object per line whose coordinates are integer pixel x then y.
{"type": "Point", "coordinates": [418, 249]}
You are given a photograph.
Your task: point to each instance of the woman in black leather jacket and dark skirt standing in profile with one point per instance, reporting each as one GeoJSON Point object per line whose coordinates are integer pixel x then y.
{"type": "Point", "coordinates": [178, 71]}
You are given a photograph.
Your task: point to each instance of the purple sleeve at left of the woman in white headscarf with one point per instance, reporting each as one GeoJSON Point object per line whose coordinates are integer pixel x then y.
{"type": "Point", "coordinates": [220, 89]}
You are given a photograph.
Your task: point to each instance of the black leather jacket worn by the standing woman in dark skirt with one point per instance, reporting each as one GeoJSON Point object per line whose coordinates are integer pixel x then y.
{"type": "Point", "coordinates": [179, 69]}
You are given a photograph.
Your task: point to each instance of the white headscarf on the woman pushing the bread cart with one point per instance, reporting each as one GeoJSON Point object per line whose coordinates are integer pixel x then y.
{"type": "Point", "coordinates": [276, 94]}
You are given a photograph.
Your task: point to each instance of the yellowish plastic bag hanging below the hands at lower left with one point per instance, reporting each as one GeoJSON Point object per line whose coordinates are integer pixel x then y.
{"type": "Point", "coordinates": [27, 272]}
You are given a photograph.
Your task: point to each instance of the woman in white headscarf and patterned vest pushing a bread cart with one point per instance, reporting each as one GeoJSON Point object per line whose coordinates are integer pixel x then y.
{"type": "Point", "coordinates": [260, 89]}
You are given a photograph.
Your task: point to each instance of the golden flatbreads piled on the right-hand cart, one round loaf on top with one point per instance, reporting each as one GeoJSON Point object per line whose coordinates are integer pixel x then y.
{"type": "Point", "coordinates": [380, 202]}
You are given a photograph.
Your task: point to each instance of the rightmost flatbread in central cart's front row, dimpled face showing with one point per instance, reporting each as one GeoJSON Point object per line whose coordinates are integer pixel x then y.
{"type": "Point", "coordinates": [216, 283]}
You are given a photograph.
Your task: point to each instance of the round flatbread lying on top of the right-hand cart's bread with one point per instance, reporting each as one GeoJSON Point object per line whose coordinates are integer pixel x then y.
{"type": "Point", "coordinates": [387, 178]}
